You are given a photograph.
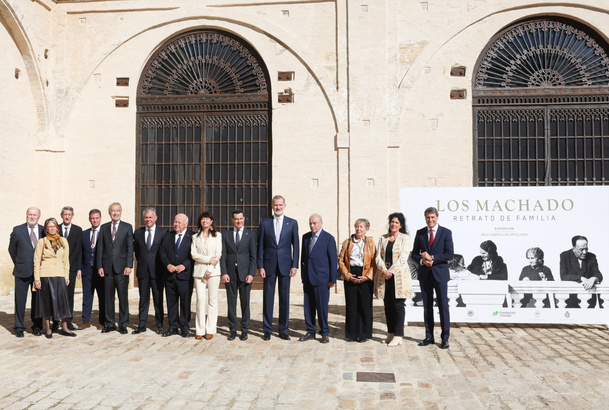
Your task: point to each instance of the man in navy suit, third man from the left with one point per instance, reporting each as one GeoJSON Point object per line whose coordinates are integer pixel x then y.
{"type": "Point", "coordinates": [91, 281]}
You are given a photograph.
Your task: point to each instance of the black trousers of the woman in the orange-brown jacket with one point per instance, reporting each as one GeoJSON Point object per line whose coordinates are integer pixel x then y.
{"type": "Point", "coordinates": [358, 304]}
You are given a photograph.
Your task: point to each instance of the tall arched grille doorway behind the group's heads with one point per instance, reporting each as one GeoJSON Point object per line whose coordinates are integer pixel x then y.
{"type": "Point", "coordinates": [204, 135]}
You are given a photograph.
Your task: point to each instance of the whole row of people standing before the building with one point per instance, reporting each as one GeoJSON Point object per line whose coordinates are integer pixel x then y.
{"type": "Point", "coordinates": [49, 258]}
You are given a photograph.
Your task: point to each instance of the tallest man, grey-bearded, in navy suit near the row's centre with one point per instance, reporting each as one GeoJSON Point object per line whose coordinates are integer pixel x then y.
{"type": "Point", "coordinates": [277, 258]}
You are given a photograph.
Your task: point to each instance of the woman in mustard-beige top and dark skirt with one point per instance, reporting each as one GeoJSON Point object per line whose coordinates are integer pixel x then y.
{"type": "Point", "coordinates": [51, 278]}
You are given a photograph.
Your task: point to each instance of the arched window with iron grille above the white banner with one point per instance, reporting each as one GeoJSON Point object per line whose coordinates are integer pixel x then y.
{"type": "Point", "coordinates": [541, 106]}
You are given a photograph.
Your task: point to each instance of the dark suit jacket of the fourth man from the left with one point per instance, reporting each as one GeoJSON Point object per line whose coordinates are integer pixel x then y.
{"type": "Point", "coordinates": [116, 255]}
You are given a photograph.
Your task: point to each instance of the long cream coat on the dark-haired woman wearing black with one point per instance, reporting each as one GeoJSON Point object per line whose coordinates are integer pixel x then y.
{"type": "Point", "coordinates": [400, 269]}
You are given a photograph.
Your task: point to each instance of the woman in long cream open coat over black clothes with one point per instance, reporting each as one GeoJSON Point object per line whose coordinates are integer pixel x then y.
{"type": "Point", "coordinates": [393, 283]}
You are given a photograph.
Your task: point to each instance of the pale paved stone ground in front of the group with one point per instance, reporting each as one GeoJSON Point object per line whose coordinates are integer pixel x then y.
{"type": "Point", "coordinates": [487, 366]}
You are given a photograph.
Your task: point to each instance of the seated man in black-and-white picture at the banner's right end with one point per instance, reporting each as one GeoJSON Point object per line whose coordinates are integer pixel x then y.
{"type": "Point", "coordinates": [579, 265]}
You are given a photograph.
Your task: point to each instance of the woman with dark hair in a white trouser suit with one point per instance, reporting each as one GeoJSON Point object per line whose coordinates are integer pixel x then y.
{"type": "Point", "coordinates": [206, 250]}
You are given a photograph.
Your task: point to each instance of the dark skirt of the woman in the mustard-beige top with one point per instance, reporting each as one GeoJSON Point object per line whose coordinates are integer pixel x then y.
{"type": "Point", "coordinates": [52, 298]}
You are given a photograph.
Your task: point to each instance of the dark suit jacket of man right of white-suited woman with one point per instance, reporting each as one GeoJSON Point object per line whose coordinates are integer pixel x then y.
{"type": "Point", "coordinates": [244, 256]}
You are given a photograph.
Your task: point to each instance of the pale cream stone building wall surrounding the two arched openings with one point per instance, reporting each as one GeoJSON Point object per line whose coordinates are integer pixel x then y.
{"type": "Point", "coordinates": [371, 110]}
